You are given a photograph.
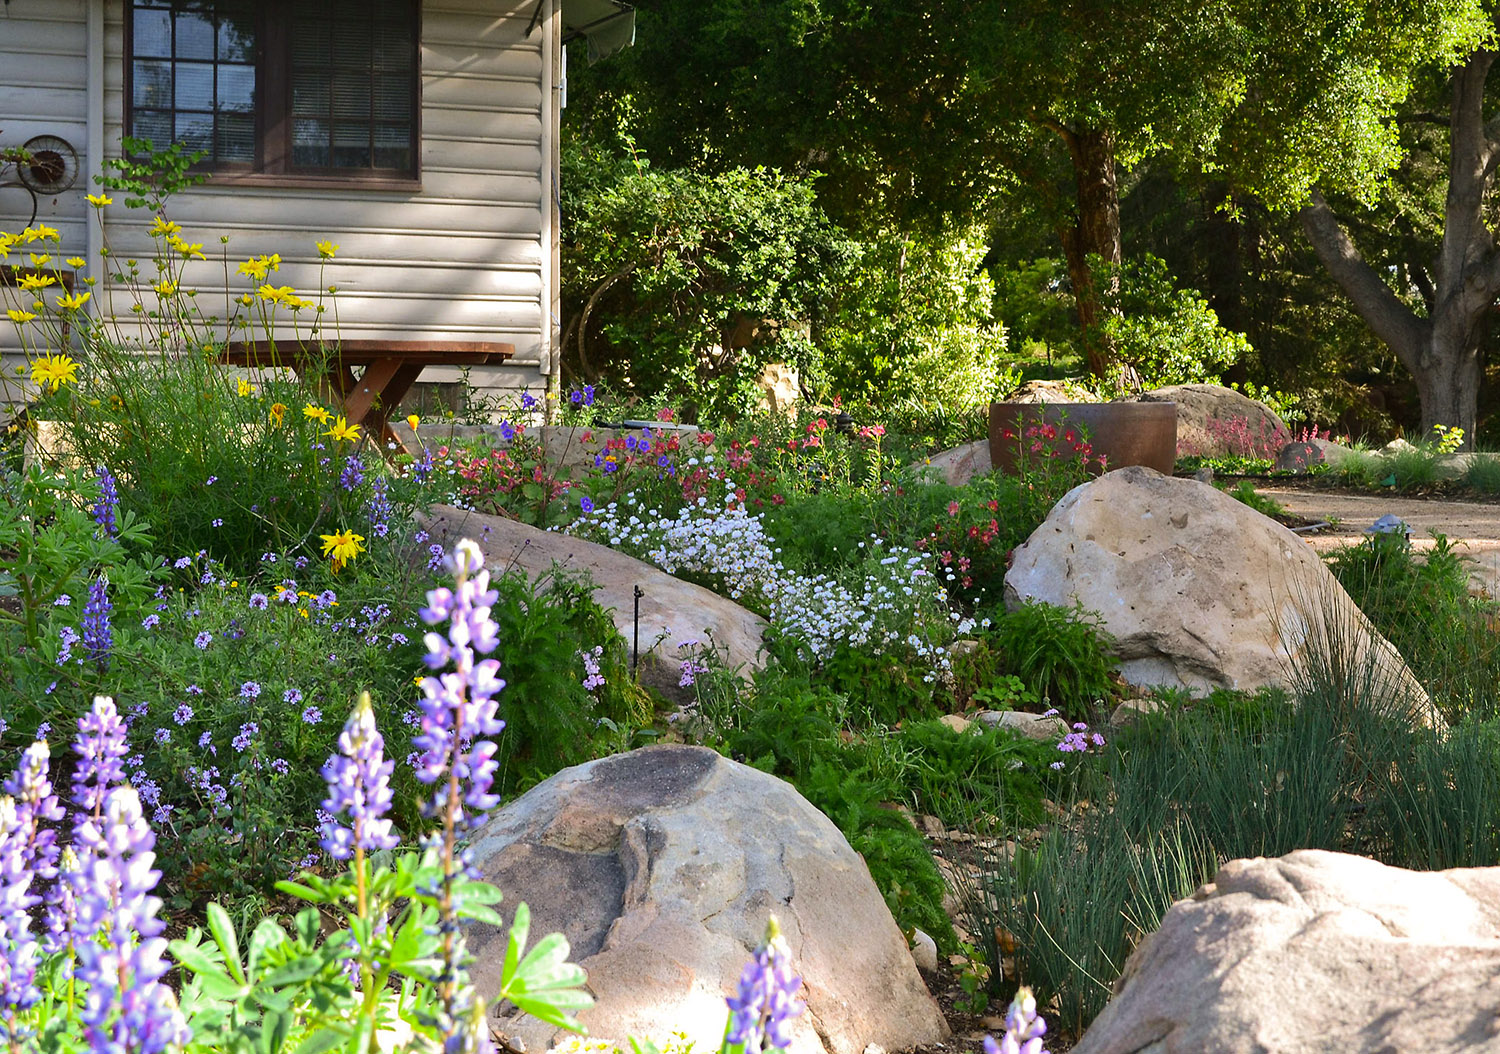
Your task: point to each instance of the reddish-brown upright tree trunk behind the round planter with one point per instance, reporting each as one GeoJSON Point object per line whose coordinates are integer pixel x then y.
{"type": "Point", "coordinates": [1096, 232]}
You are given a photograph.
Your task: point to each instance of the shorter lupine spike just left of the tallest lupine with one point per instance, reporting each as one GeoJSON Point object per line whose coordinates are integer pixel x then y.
{"type": "Point", "coordinates": [359, 785]}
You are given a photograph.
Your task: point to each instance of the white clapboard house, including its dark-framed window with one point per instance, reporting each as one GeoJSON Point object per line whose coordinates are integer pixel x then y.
{"type": "Point", "coordinates": [419, 136]}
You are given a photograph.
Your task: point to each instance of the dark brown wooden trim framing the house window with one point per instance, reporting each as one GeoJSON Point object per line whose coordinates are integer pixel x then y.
{"type": "Point", "coordinates": [274, 124]}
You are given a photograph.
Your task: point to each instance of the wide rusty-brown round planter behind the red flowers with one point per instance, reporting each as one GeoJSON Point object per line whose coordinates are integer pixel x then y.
{"type": "Point", "coordinates": [1126, 434]}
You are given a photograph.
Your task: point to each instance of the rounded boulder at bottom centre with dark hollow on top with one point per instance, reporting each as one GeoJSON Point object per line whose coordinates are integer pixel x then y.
{"type": "Point", "coordinates": [661, 867]}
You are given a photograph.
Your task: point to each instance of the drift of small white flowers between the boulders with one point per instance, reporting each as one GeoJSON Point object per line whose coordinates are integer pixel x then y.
{"type": "Point", "coordinates": [893, 602]}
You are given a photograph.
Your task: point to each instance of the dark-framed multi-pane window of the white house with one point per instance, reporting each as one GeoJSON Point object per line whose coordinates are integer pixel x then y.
{"type": "Point", "coordinates": [278, 88]}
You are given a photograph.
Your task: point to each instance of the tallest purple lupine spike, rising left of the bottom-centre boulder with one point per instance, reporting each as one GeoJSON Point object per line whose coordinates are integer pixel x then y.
{"type": "Point", "coordinates": [460, 708]}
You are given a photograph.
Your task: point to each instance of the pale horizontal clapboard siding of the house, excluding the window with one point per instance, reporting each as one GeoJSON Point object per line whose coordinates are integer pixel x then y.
{"type": "Point", "coordinates": [458, 260]}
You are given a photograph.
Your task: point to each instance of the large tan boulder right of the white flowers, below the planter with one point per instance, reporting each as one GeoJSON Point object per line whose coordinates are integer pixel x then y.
{"type": "Point", "coordinates": [1199, 590]}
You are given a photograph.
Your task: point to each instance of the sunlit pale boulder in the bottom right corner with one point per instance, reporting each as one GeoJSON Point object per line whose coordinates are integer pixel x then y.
{"type": "Point", "coordinates": [1315, 954]}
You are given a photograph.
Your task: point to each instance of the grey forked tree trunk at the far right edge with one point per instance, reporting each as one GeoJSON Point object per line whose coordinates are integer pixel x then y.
{"type": "Point", "coordinates": [1444, 350]}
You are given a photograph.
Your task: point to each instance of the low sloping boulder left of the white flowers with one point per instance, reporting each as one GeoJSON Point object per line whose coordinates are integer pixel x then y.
{"type": "Point", "coordinates": [673, 612]}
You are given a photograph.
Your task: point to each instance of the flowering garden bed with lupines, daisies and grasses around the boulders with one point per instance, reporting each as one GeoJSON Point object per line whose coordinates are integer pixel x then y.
{"type": "Point", "coordinates": [221, 594]}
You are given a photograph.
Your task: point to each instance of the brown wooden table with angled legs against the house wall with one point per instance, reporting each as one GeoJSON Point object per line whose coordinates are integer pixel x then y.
{"type": "Point", "coordinates": [391, 370]}
